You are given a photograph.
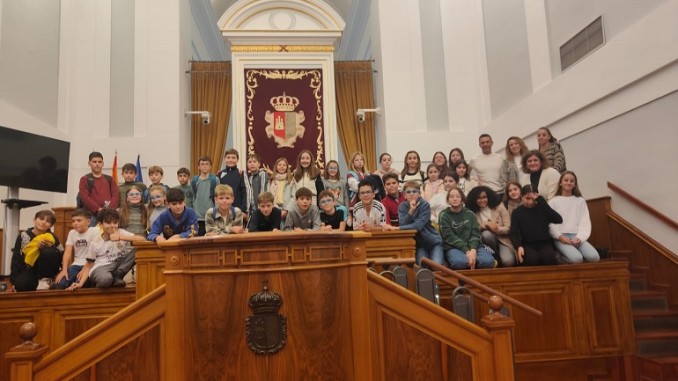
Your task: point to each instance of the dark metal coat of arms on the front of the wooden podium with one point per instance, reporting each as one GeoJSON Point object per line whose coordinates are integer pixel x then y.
{"type": "Point", "coordinates": [266, 330]}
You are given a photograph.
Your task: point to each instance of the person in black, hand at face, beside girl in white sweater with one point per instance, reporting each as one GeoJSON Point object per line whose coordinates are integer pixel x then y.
{"type": "Point", "coordinates": [530, 230]}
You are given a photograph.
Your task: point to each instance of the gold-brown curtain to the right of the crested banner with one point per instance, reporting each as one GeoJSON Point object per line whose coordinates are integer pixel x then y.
{"type": "Point", "coordinates": [354, 87]}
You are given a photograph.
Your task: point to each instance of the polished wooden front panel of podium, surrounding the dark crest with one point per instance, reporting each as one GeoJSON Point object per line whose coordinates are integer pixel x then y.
{"type": "Point", "coordinates": [317, 308]}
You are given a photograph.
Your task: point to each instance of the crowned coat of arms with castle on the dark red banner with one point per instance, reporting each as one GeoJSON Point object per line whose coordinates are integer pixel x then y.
{"type": "Point", "coordinates": [284, 125]}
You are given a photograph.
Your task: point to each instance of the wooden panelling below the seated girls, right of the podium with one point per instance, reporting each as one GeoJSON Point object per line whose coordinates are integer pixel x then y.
{"type": "Point", "coordinates": [586, 309]}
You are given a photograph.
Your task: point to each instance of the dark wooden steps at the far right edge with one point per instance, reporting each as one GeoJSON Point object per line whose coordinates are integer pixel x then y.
{"type": "Point", "coordinates": [656, 327]}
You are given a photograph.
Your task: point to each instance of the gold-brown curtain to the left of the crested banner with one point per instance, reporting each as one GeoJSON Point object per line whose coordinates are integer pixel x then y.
{"type": "Point", "coordinates": [210, 91]}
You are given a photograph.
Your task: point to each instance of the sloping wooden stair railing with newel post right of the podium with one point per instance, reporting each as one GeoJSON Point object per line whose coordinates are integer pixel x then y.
{"type": "Point", "coordinates": [413, 338]}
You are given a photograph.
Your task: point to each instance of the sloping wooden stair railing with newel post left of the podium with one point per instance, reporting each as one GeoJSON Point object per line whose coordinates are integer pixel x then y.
{"type": "Point", "coordinates": [132, 338]}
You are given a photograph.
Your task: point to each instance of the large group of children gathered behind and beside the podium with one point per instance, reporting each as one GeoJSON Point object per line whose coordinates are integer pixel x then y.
{"type": "Point", "coordinates": [458, 221]}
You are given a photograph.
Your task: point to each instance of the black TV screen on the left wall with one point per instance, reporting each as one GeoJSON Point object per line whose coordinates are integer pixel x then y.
{"type": "Point", "coordinates": [33, 161]}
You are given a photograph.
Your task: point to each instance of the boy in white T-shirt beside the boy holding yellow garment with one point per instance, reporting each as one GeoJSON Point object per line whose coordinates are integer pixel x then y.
{"type": "Point", "coordinates": [77, 250]}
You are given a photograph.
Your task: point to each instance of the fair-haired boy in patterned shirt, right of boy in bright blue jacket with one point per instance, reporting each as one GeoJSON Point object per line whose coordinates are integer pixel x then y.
{"type": "Point", "coordinates": [224, 218]}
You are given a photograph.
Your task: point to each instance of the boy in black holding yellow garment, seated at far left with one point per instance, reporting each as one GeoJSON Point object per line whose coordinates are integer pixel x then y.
{"type": "Point", "coordinates": [37, 254]}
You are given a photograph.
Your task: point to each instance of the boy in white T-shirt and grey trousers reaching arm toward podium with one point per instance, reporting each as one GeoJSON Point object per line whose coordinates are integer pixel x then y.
{"type": "Point", "coordinates": [111, 254]}
